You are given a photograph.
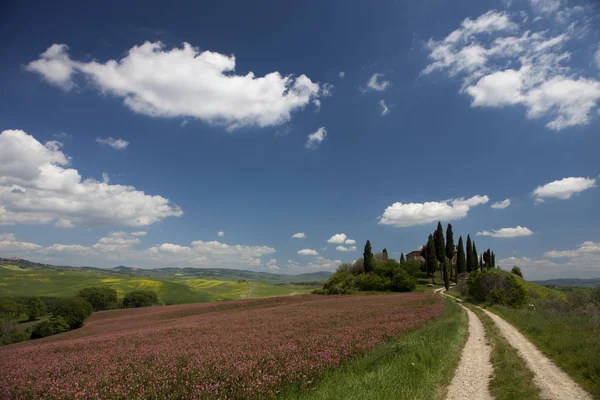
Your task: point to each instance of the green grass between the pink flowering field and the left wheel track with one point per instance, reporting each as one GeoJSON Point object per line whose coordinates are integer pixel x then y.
{"type": "Point", "coordinates": [417, 365]}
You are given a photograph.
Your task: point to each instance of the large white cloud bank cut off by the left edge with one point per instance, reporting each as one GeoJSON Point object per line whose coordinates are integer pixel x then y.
{"type": "Point", "coordinates": [37, 187]}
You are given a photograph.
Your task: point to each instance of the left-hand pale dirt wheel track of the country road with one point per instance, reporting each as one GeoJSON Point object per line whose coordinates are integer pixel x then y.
{"type": "Point", "coordinates": [472, 377]}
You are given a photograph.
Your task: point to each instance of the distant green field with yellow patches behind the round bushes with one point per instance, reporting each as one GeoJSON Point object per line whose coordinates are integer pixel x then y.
{"type": "Point", "coordinates": [17, 281]}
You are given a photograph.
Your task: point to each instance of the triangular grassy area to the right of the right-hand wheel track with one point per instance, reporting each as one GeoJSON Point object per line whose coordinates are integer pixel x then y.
{"type": "Point", "coordinates": [573, 342]}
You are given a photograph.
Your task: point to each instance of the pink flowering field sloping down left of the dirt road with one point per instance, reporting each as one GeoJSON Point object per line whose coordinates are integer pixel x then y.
{"type": "Point", "coordinates": [236, 349]}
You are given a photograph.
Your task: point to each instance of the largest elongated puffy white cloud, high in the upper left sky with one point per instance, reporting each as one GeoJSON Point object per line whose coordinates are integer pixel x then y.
{"type": "Point", "coordinates": [184, 82]}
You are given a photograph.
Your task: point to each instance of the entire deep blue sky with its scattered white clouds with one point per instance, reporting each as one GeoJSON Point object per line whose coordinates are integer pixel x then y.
{"type": "Point", "coordinates": [135, 137]}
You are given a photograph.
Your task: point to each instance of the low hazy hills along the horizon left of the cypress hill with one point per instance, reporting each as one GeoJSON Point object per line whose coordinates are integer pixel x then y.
{"type": "Point", "coordinates": [174, 272]}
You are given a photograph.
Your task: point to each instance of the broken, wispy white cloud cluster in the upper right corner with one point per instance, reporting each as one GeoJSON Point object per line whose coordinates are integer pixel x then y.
{"type": "Point", "coordinates": [503, 63]}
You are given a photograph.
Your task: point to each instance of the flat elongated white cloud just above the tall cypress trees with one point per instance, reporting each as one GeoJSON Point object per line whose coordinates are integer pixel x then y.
{"type": "Point", "coordinates": [404, 215]}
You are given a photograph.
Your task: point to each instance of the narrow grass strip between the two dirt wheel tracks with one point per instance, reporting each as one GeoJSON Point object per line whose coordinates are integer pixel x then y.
{"type": "Point", "coordinates": [512, 379]}
